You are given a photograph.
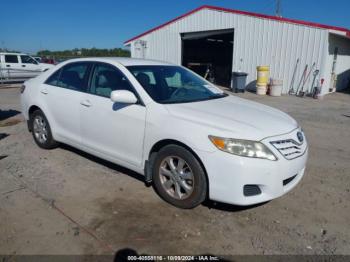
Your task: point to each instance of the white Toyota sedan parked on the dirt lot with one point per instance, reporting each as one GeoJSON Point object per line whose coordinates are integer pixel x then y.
{"type": "Point", "coordinates": [186, 136]}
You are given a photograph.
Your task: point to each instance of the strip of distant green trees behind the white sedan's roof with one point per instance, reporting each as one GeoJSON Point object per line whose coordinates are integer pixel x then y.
{"type": "Point", "coordinates": [85, 52]}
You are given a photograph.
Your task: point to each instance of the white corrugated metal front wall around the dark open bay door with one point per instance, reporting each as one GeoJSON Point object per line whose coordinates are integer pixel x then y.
{"type": "Point", "coordinates": [257, 41]}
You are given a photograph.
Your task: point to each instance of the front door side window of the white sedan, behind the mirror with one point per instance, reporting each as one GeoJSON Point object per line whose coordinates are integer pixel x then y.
{"type": "Point", "coordinates": [106, 79]}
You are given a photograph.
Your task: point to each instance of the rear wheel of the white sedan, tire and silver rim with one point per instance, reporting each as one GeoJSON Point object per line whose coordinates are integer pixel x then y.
{"type": "Point", "coordinates": [41, 130]}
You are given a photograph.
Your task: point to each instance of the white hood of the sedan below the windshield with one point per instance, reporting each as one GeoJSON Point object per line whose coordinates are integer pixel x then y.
{"type": "Point", "coordinates": [235, 116]}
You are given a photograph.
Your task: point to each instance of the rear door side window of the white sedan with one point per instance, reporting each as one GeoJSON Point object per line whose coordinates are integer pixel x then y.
{"type": "Point", "coordinates": [74, 76]}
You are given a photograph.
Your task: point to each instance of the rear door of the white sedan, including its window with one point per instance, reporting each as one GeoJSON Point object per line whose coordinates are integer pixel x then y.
{"type": "Point", "coordinates": [63, 93]}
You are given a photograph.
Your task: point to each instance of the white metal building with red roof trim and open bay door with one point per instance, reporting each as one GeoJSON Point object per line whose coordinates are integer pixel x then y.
{"type": "Point", "coordinates": [230, 40]}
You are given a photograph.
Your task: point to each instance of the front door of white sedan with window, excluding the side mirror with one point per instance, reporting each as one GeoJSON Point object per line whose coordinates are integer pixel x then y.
{"type": "Point", "coordinates": [114, 130]}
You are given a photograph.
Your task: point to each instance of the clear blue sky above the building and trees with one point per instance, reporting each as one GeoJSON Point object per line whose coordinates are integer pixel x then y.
{"type": "Point", "coordinates": [29, 26]}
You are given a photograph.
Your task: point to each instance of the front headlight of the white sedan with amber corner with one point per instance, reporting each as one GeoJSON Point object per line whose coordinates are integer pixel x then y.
{"type": "Point", "coordinates": [245, 148]}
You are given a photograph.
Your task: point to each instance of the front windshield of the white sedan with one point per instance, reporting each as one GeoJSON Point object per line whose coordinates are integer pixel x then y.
{"type": "Point", "coordinates": [174, 84]}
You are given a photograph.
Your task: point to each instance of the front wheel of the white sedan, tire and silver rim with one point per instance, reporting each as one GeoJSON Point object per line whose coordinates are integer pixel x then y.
{"type": "Point", "coordinates": [179, 178]}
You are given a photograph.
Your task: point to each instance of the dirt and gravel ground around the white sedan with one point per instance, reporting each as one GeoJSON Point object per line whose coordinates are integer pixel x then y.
{"type": "Point", "coordinates": [64, 201]}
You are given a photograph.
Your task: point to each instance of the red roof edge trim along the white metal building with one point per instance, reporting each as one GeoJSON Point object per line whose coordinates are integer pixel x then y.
{"type": "Point", "coordinates": [216, 8]}
